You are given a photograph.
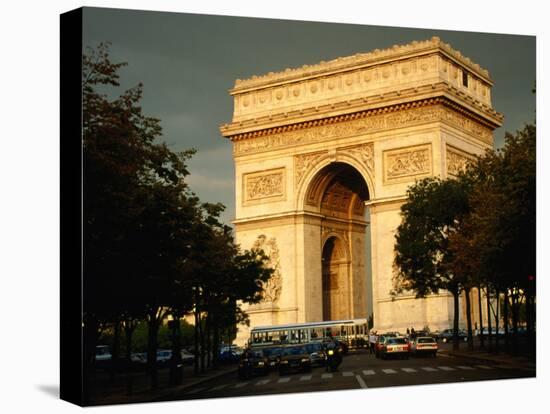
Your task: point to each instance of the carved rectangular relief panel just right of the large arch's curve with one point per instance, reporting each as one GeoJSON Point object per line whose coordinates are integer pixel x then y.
{"type": "Point", "coordinates": [407, 163]}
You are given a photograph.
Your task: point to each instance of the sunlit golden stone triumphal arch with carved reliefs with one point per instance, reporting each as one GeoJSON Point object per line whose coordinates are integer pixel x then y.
{"type": "Point", "coordinates": [316, 146]}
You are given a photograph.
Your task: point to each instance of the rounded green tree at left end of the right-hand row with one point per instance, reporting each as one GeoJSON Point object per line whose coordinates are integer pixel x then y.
{"type": "Point", "coordinates": [432, 212]}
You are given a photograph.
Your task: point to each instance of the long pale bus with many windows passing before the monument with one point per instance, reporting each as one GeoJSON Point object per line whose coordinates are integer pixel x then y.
{"type": "Point", "coordinates": [352, 331]}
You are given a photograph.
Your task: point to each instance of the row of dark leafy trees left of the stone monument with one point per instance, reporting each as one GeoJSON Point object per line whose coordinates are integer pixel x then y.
{"type": "Point", "coordinates": [152, 250]}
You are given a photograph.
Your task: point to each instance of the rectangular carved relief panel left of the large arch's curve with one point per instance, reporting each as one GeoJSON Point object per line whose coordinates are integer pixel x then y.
{"type": "Point", "coordinates": [259, 186]}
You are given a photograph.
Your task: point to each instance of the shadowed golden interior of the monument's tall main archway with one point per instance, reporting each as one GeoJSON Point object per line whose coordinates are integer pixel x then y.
{"type": "Point", "coordinates": [338, 193]}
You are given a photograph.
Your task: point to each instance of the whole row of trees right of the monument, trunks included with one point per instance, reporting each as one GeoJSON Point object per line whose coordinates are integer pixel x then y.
{"type": "Point", "coordinates": [476, 232]}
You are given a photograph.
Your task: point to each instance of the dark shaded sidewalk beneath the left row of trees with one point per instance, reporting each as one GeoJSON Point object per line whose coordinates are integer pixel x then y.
{"type": "Point", "coordinates": [142, 392]}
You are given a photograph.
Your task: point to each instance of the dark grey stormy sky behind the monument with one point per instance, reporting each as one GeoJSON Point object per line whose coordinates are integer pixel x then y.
{"type": "Point", "coordinates": [187, 62]}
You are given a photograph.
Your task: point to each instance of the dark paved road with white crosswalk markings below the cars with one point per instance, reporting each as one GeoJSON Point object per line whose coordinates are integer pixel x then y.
{"type": "Point", "coordinates": [357, 371]}
